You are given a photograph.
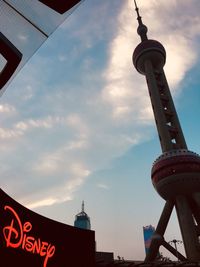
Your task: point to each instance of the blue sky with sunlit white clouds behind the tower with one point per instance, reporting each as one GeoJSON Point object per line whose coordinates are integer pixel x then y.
{"type": "Point", "coordinates": [77, 124]}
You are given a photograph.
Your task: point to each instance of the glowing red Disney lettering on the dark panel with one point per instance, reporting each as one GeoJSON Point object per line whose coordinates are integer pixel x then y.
{"type": "Point", "coordinates": [16, 236]}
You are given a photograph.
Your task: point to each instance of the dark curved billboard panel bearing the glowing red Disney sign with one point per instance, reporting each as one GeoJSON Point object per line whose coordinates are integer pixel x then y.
{"type": "Point", "coordinates": [29, 239]}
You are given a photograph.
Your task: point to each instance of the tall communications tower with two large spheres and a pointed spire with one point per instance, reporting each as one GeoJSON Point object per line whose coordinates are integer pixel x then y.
{"type": "Point", "coordinates": [176, 173]}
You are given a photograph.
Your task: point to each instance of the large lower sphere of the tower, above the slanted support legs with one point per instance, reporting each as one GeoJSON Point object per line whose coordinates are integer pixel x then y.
{"type": "Point", "coordinates": [176, 172]}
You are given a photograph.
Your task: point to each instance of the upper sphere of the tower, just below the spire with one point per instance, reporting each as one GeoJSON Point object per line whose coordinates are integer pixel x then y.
{"type": "Point", "coordinates": [149, 50]}
